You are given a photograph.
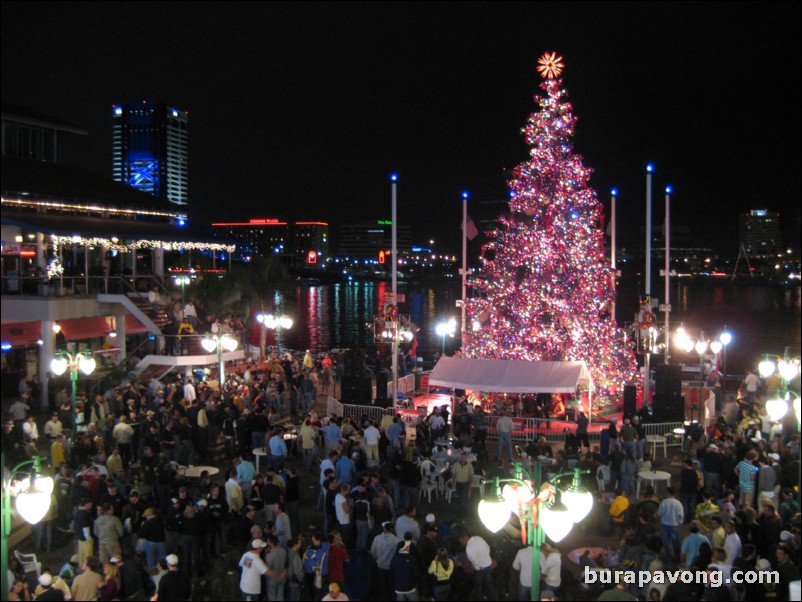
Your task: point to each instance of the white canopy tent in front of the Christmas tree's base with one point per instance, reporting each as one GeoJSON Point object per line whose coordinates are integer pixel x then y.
{"type": "Point", "coordinates": [511, 376]}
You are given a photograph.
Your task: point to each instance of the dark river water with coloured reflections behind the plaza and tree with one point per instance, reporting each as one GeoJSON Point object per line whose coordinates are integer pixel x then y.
{"type": "Point", "coordinates": [762, 319]}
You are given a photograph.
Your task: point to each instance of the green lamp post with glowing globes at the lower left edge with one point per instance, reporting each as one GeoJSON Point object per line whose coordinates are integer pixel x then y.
{"type": "Point", "coordinates": [33, 501]}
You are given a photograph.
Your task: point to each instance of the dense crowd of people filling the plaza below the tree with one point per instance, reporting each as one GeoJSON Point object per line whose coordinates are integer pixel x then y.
{"type": "Point", "coordinates": [143, 528]}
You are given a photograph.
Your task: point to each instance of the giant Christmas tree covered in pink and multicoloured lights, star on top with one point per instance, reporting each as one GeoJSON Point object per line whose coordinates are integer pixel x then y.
{"type": "Point", "coordinates": [546, 287]}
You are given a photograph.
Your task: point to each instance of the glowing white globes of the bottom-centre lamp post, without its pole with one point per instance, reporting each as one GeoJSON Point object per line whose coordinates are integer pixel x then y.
{"type": "Point", "coordinates": [557, 518]}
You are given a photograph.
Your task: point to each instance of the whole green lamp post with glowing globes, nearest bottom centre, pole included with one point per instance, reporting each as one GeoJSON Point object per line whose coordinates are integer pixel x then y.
{"type": "Point", "coordinates": [538, 508]}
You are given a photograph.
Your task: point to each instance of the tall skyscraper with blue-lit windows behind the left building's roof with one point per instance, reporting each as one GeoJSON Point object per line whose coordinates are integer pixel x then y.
{"type": "Point", "coordinates": [150, 149]}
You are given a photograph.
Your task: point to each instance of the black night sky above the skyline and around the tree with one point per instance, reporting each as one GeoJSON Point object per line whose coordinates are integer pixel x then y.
{"type": "Point", "coordinates": [303, 110]}
